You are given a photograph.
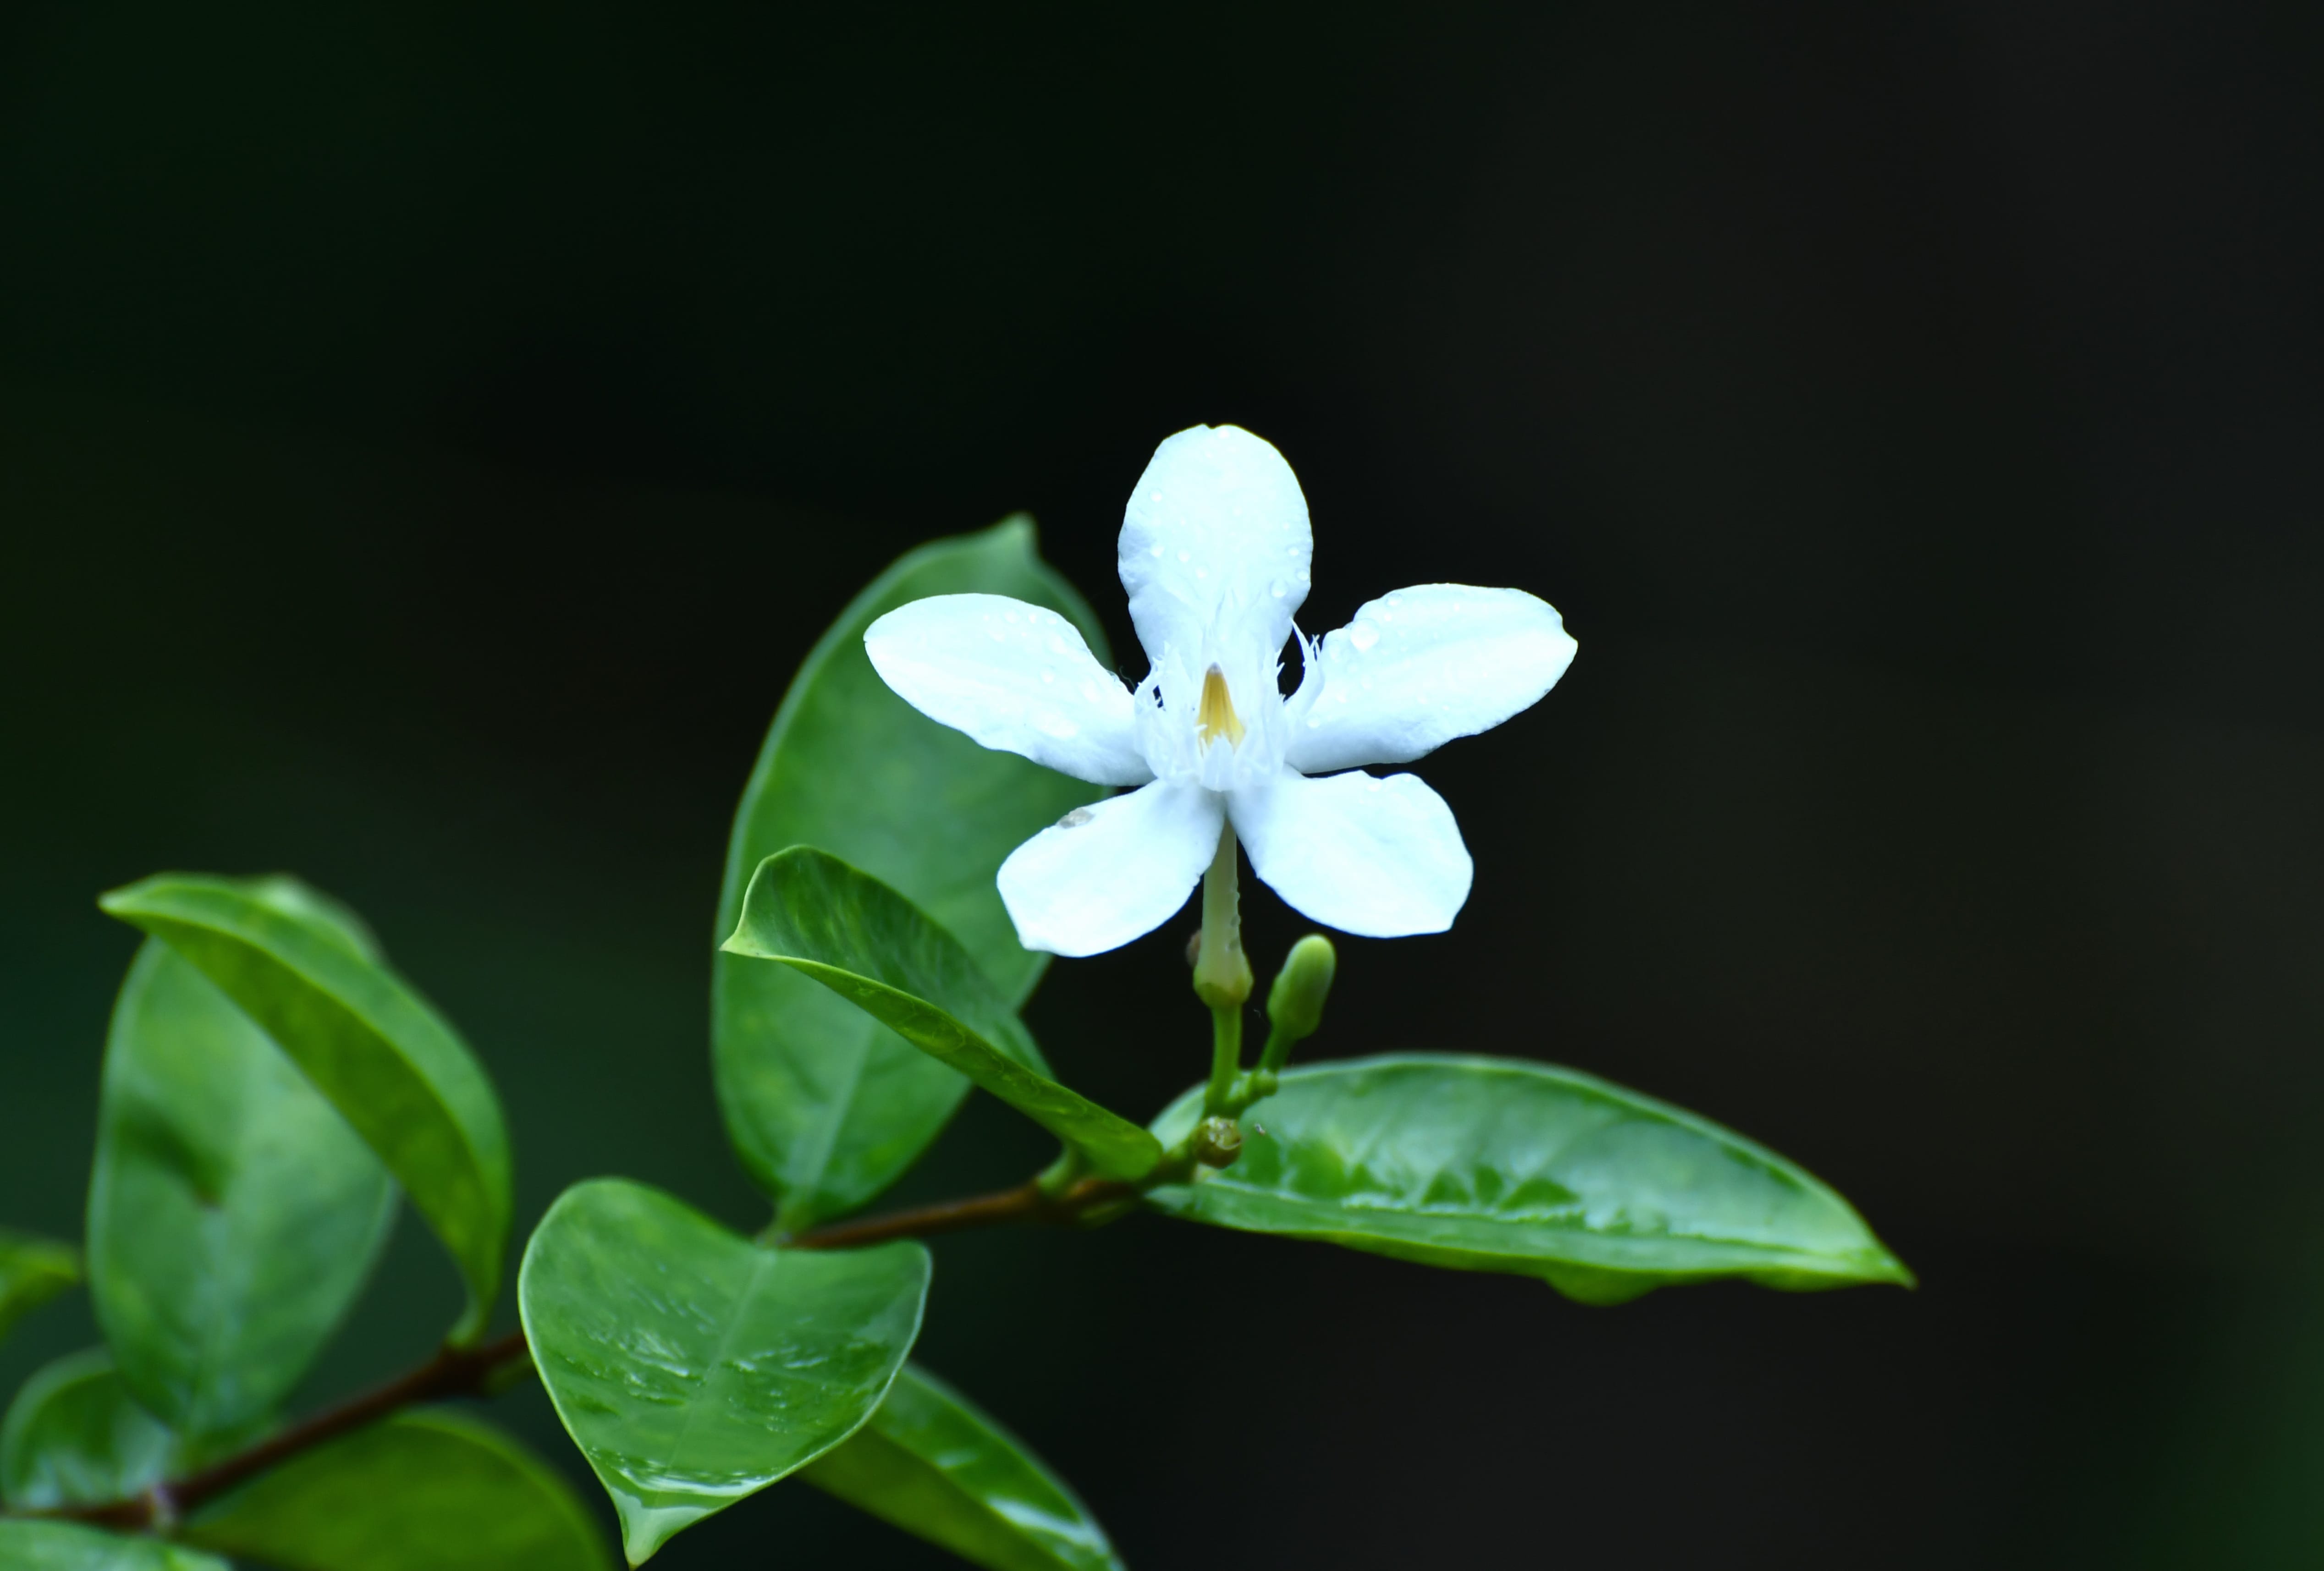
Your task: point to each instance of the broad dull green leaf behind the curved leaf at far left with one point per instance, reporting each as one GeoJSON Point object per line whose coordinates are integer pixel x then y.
{"type": "Point", "coordinates": [234, 1217]}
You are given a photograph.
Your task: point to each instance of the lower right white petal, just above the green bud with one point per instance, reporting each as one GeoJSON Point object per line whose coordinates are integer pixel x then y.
{"type": "Point", "coordinates": [1368, 856]}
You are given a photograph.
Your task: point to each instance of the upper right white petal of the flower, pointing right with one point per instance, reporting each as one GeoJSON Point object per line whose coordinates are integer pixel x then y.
{"type": "Point", "coordinates": [1421, 668]}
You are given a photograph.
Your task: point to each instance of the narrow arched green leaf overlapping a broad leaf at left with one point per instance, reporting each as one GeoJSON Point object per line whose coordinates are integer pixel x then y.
{"type": "Point", "coordinates": [368, 1042]}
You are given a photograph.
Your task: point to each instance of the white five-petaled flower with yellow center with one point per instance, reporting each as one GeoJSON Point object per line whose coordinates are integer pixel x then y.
{"type": "Point", "coordinates": [1217, 561]}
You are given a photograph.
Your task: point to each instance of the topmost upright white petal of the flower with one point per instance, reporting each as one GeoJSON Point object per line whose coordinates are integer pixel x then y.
{"type": "Point", "coordinates": [1214, 540]}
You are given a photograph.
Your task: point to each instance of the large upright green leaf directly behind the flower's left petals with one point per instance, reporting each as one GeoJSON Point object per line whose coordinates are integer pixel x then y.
{"type": "Point", "coordinates": [824, 1105]}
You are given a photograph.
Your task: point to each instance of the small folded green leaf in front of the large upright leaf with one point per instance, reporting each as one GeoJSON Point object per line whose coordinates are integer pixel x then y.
{"type": "Point", "coordinates": [880, 952]}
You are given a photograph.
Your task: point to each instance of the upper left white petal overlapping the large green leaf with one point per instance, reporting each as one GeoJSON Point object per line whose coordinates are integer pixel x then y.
{"type": "Point", "coordinates": [1017, 680]}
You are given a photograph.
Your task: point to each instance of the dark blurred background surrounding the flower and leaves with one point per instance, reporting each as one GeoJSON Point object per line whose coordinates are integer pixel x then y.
{"type": "Point", "coordinates": [431, 436]}
